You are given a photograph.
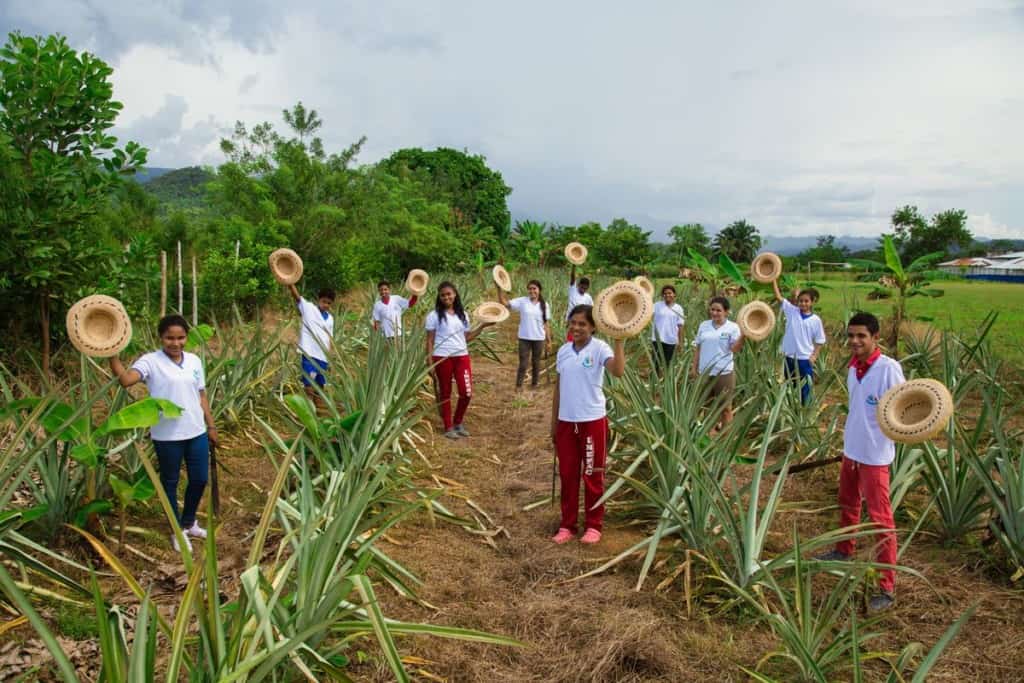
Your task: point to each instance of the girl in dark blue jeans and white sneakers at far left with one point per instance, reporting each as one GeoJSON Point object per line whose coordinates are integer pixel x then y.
{"type": "Point", "coordinates": [178, 376]}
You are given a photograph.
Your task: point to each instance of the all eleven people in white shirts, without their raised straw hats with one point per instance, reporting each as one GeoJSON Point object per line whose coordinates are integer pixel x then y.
{"type": "Point", "coordinates": [579, 417]}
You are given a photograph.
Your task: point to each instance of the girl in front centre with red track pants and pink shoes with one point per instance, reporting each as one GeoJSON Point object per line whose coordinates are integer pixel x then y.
{"type": "Point", "coordinates": [580, 425]}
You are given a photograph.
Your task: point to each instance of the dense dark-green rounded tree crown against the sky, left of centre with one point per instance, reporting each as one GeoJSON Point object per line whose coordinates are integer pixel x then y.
{"type": "Point", "coordinates": [476, 193]}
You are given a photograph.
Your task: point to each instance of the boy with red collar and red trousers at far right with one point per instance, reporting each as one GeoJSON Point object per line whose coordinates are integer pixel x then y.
{"type": "Point", "coordinates": [868, 453]}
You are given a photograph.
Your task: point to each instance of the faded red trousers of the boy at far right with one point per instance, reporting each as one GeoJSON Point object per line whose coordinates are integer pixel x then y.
{"type": "Point", "coordinates": [871, 483]}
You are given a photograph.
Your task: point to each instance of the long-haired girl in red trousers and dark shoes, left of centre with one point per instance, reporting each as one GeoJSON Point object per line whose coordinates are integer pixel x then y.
{"type": "Point", "coordinates": [448, 352]}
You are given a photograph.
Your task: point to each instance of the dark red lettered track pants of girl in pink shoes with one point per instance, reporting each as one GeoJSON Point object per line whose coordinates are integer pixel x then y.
{"type": "Point", "coordinates": [582, 446]}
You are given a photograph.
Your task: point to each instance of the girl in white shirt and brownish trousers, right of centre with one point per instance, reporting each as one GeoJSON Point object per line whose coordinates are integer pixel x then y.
{"type": "Point", "coordinates": [717, 340]}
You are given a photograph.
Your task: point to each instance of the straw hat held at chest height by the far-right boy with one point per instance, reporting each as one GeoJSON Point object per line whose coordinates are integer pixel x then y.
{"type": "Point", "coordinates": [916, 411]}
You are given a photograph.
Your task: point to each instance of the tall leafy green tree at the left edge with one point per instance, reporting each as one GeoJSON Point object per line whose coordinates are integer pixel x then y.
{"type": "Point", "coordinates": [56, 108]}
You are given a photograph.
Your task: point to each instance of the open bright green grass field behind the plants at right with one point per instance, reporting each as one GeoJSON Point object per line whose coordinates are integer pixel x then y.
{"type": "Point", "coordinates": [963, 308]}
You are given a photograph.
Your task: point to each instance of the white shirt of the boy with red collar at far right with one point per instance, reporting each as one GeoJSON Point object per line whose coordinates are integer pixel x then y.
{"type": "Point", "coordinates": [863, 441]}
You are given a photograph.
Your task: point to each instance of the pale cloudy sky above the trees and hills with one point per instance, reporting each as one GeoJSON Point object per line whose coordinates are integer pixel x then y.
{"type": "Point", "coordinates": [804, 118]}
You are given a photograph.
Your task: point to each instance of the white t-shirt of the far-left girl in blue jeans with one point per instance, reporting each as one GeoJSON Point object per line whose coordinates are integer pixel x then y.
{"type": "Point", "coordinates": [179, 385]}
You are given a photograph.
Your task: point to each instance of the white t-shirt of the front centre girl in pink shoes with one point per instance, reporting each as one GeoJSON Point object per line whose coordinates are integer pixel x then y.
{"type": "Point", "coordinates": [581, 381]}
